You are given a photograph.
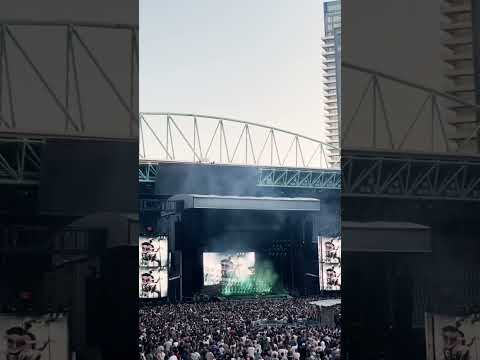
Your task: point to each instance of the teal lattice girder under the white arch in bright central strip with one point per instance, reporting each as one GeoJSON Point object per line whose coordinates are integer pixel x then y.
{"type": "Point", "coordinates": [318, 179]}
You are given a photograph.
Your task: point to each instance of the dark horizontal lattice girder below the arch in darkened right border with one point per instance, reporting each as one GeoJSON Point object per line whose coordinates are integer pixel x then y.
{"type": "Point", "coordinates": [410, 176]}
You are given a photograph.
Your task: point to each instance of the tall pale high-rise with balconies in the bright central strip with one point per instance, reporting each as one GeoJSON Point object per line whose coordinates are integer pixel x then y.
{"type": "Point", "coordinates": [331, 76]}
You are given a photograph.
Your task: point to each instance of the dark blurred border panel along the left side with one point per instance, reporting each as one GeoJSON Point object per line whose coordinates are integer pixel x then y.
{"type": "Point", "coordinates": [68, 173]}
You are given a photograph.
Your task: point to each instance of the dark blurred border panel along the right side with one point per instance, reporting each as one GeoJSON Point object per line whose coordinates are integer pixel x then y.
{"type": "Point", "coordinates": [410, 172]}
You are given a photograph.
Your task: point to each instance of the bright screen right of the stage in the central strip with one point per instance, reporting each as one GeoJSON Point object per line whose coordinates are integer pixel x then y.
{"type": "Point", "coordinates": [330, 268]}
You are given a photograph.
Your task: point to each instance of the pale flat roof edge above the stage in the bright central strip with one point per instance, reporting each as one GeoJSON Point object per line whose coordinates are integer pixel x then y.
{"type": "Point", "coordinates": [193, 201]}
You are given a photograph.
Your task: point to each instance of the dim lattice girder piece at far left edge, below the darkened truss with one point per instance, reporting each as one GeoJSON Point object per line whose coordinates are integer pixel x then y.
{"type": "Point", "coordinates": [20, 160]}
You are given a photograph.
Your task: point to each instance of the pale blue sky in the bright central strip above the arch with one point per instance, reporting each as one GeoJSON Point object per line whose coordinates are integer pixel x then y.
{"type": "Point", "coordinates": [256, 60]}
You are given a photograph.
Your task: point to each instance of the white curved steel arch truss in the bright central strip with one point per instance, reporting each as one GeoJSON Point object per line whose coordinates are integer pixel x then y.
{"type": "Point", "coordinates": [183, 129]}
